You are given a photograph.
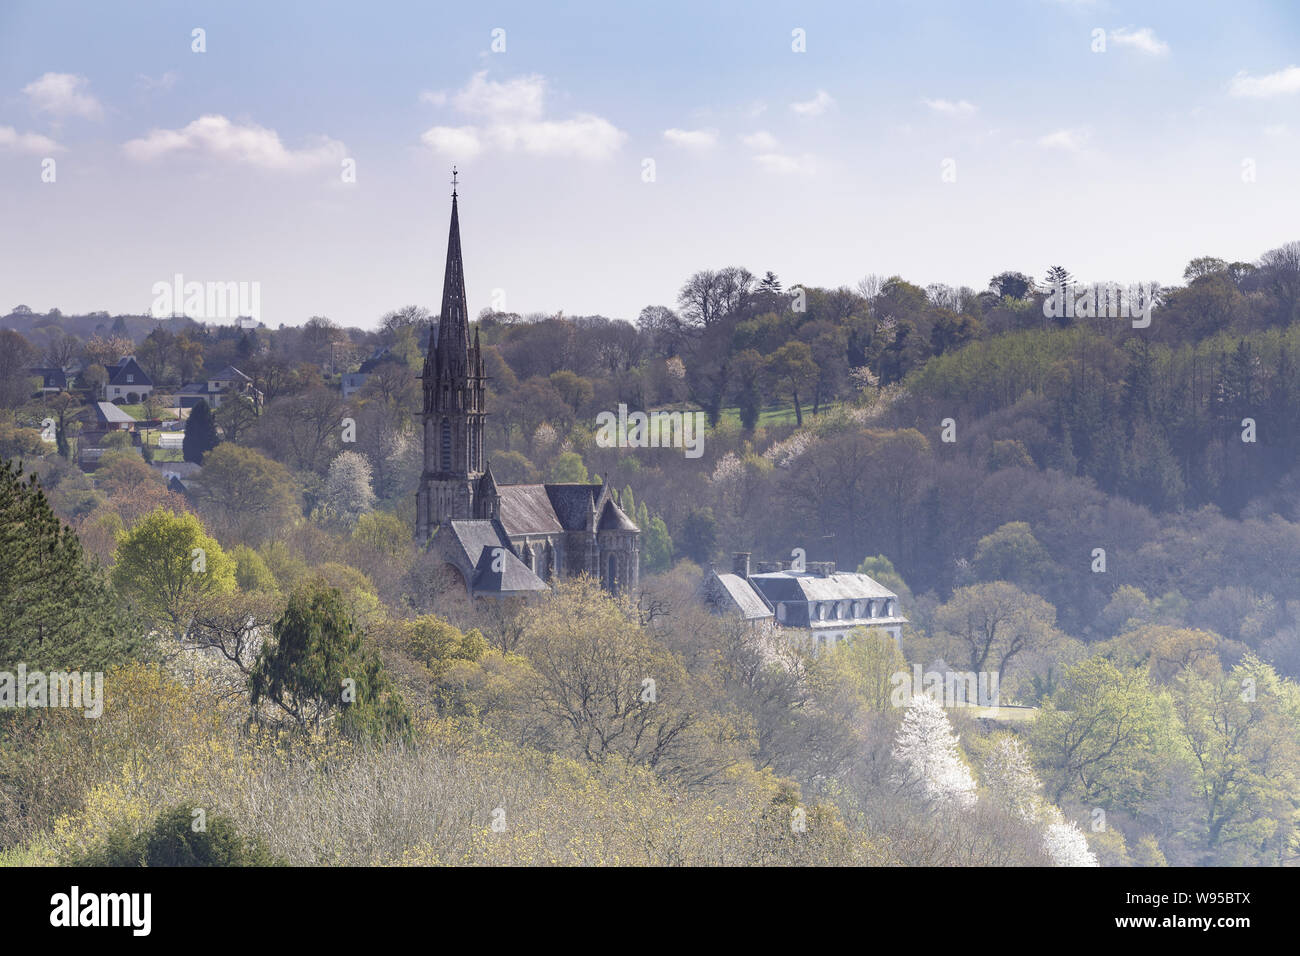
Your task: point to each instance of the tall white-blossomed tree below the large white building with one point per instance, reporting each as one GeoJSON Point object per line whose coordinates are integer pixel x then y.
{"type": "Point", "coordinates": [929, 759]}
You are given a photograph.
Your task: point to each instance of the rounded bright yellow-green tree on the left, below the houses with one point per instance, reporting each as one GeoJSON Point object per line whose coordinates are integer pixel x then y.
{"type": "Point", "coordinates": [167, 564]}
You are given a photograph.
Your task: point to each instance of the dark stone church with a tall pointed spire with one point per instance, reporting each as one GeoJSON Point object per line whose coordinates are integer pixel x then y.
{"type": "Point", "coordinates": [502, 540]}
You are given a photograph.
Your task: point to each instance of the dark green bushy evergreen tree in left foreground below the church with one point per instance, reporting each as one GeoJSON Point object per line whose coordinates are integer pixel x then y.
{"type": "Point", "coordinates": [317, 671]}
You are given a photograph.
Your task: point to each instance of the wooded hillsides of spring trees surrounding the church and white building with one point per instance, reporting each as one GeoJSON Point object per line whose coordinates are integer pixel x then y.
{"type": "Point", "coordinates": [1106, 517]}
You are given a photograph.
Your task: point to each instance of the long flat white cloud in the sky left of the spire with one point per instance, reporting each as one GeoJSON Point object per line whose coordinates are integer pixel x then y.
{"type": "Point", "coordinates": [252, 145]}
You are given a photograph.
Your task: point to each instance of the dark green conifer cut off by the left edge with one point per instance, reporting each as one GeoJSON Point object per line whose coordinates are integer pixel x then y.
{"type": "Point", "coordinates": [57, 609]}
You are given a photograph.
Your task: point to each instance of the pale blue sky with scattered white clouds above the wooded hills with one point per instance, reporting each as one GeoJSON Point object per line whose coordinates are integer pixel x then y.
{"type": "Point", "coordinates": [608, 152]}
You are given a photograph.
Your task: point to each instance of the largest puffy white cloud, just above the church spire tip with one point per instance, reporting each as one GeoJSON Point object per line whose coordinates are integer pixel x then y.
{"type": "Point", "coordinates": [510, 116]}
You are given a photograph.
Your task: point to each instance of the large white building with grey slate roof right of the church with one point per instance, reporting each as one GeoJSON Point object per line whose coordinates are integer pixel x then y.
{"type": "Point", "coordinates": [825, 605]}
